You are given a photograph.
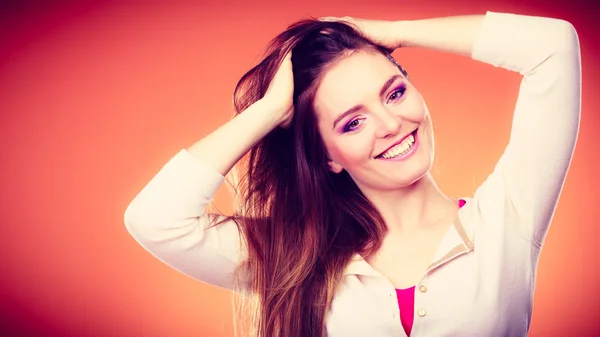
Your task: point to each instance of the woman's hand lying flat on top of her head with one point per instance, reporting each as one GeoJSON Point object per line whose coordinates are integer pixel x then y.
{"type": "Point", "coordinates": [380, 32]}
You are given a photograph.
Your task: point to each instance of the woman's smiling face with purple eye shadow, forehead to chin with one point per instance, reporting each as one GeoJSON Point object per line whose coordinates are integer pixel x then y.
{"type": "Point", "coordinates": [366, 108]}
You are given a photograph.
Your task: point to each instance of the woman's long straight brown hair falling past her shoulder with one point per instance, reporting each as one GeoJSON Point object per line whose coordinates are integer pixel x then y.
{"type": "Point", "coordinates": [300, 223]}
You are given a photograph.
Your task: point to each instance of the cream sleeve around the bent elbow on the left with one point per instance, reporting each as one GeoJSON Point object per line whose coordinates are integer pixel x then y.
{"type": "Point", "coordinates": [168, 219]}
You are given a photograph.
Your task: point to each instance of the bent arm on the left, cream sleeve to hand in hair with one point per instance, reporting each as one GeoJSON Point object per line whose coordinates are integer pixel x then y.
{"type": "Point", "coordinates": [168, 216]}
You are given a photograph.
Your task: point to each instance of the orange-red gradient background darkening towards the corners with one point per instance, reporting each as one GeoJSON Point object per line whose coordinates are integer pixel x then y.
{"type": "Point", "coordinates": [95, 97]}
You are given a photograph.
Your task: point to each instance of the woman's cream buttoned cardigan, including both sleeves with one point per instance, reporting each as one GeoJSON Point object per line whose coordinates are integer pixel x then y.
{"type": "Point", "coordinates": [481, 281]}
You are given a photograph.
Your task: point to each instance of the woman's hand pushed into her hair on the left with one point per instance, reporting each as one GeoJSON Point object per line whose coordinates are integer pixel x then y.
{"type": "Point", "coordinates": [280, 94]}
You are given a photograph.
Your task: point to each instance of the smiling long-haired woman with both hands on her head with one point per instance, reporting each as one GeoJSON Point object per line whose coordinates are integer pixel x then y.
{"type": "Point", "coordinates": [341, 230]}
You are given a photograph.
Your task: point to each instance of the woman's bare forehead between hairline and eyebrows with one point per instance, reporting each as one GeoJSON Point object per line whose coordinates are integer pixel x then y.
{"type": "Point", "coordinates": [352, 80]}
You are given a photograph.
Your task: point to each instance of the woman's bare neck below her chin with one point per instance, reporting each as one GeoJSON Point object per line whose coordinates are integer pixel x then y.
{"type": "Point", "coordinates": [419, 206]}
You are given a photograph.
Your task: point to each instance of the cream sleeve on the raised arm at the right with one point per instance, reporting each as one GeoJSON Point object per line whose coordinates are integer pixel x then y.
{"type": "Point", "coordinates": [527, 180]}
